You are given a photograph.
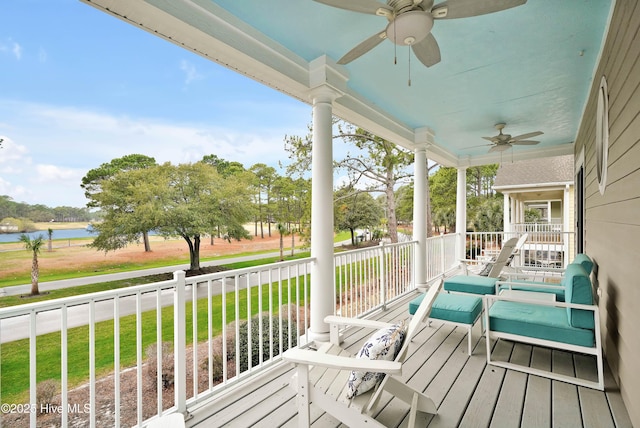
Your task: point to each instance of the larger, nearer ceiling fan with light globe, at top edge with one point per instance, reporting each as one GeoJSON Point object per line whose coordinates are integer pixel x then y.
{"type": "Point", "coordinates": [410, 22]}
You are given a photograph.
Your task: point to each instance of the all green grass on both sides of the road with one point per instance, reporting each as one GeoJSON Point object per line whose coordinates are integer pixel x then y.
{"type": "Point", "coordinates": [14, 366]}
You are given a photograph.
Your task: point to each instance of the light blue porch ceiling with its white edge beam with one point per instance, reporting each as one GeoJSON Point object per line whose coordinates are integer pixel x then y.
{"type": "Point", "coordinates": [530, 67]}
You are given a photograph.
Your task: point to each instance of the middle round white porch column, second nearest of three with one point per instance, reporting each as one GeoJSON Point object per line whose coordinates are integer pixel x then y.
{"type": "Point", "coordinates": [420, 216]}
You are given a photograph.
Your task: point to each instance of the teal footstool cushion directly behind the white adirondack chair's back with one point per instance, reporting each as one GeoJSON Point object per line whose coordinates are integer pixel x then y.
{"type": "Point", "coordinates": [458, 308]}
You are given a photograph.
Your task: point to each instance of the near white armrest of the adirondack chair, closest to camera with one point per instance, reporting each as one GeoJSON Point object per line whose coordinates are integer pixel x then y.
{"type": "Point", "coordinates": [313, 358]}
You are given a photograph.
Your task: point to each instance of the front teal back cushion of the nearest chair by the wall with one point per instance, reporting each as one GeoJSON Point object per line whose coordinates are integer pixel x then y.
{"type": "Point", "coordinates": [578, 290]}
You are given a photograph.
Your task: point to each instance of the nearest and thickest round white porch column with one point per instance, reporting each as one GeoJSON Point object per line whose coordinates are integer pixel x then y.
{"type": "Point", "coordinates": [322, 271]}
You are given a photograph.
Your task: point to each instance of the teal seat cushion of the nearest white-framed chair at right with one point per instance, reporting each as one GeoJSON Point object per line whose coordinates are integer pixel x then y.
{"type": "Point", "coordinates": [537, 321]}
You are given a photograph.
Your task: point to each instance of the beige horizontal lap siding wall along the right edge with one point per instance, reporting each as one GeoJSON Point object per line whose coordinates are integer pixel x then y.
{"type": "Point", "coordinates": [612, 220]}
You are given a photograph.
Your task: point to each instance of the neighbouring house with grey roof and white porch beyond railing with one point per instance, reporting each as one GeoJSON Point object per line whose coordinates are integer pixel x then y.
{"type": "Point", "coordinates": [545, 185]}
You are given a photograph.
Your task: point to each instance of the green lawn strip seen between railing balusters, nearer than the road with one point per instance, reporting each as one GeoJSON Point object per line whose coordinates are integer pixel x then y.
{"type": "Point", "coordinates": [15, 369]}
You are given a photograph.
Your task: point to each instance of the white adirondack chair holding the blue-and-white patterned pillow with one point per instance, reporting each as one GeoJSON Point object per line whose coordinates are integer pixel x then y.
{"type": "Point", "coordinates": [322, 375]}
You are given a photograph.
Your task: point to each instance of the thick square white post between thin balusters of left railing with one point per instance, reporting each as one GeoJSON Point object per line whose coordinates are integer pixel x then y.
{"type": "Point", "coordinates": [180, 344]}
